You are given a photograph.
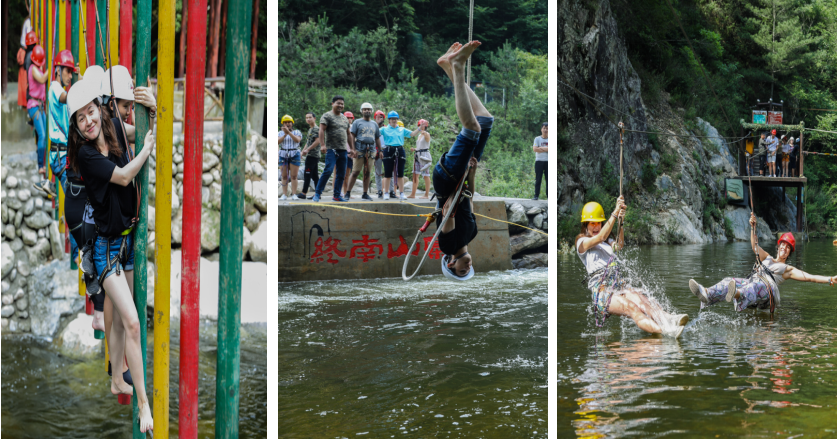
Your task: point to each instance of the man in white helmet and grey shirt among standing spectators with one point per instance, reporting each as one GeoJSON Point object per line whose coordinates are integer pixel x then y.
{"type": "Point", "coordinates": [367, 140]}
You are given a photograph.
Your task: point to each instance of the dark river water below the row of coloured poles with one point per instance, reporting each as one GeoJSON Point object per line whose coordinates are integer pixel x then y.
{"type": "Point", "coordinates": [46, 394]}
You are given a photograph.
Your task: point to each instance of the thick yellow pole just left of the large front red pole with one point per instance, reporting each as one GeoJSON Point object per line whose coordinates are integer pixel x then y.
{"type": "Point", "coordinates": [162, 249]}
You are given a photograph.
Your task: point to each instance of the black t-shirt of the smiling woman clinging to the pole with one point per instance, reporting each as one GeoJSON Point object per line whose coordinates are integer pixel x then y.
{"type": "Point", "coordinates": [114, 206]}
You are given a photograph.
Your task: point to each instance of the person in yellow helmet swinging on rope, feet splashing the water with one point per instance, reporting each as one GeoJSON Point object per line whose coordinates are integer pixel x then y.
{"type": "Point", "coordinates": [612, 294]}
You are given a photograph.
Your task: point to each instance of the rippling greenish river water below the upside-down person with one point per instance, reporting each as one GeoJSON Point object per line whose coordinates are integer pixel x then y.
{"type": "Point", "coordinates": [429, 357]}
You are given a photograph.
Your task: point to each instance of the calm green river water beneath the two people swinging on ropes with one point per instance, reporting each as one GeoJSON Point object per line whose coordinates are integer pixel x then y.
{"type": "Point", "coordinates": [729, 375]}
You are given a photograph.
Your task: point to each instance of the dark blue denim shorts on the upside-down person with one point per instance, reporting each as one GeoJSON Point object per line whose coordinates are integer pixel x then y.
{"type": "Point", "coordinates": [455, 161]}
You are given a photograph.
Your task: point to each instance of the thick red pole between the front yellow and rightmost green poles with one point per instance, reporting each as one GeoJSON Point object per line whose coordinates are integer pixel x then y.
{"type": "Point", "coordinates": [191, 247]}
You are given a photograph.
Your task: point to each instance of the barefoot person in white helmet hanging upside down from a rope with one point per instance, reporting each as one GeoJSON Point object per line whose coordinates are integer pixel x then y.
{"type": "Point", "coordinates": [464, 155]}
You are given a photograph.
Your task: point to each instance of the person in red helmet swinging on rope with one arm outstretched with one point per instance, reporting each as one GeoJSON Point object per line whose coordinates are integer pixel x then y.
{"type": "Point", "coordinates": [761, 289]}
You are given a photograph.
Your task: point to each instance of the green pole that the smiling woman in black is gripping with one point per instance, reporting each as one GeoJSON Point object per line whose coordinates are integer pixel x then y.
{"type": "Point", "coordinates": [141, 233]}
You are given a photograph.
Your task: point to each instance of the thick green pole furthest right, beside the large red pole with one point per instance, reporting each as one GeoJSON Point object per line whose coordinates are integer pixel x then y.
{"type": "Point", "coordinates": [232, 218]}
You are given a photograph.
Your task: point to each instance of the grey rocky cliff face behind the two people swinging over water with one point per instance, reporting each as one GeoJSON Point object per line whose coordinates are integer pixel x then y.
{"type": "Point", "coordinates": [685, 202]}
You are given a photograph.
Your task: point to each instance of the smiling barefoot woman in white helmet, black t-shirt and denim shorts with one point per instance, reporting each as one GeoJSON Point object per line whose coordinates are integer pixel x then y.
{"type": "Point", "coordinates": [99, 153]}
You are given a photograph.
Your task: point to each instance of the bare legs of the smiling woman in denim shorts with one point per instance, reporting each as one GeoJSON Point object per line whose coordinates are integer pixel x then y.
{"type": "Point", "coordinates": [127, 327]}
